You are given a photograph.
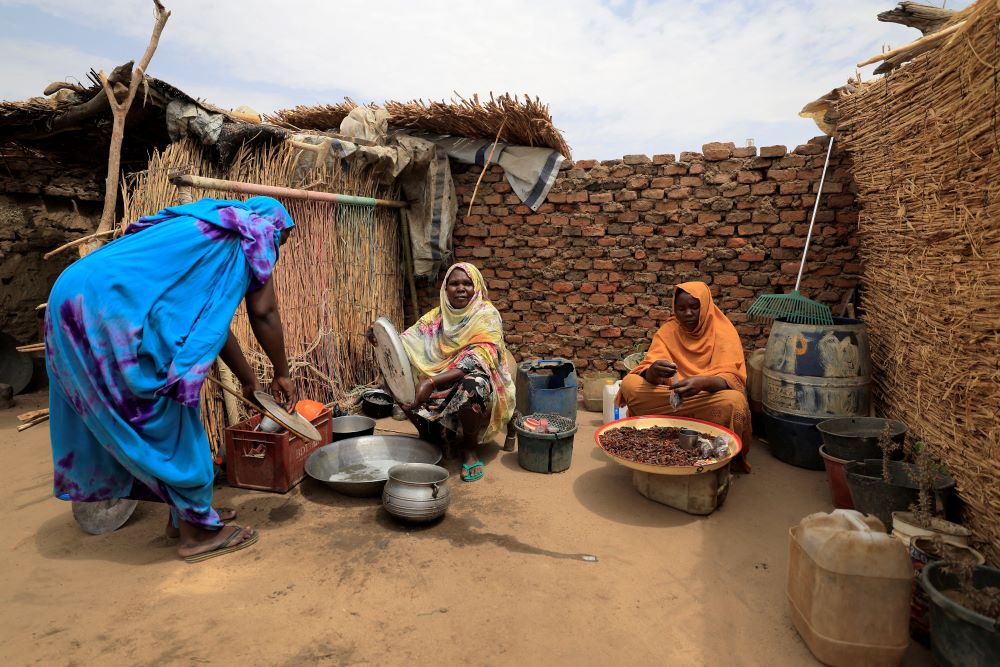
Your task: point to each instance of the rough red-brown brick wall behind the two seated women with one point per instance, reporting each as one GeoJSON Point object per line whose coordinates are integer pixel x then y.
{"type": "Point", "coordinates": [590, 274]}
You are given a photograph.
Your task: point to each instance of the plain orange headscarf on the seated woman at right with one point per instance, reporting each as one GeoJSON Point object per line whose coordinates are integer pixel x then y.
{"type": "Point", "coordinates": [713, 348]}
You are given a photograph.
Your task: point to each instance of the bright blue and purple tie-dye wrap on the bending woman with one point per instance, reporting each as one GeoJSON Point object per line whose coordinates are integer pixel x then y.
{"type": "Point", "coordinates": [131, 331]}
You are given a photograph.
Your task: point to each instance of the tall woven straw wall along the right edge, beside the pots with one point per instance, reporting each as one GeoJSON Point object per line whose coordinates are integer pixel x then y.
{"type": "Point", "coordinates": [926, 149]}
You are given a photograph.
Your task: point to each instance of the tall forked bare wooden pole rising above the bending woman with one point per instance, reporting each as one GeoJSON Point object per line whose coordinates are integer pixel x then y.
{"type": "Point", "coordinates": [119, 110]}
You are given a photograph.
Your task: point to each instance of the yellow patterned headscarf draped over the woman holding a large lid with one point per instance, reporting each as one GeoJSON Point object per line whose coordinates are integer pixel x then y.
{"type": "Point", "coordinates": [446, 334]}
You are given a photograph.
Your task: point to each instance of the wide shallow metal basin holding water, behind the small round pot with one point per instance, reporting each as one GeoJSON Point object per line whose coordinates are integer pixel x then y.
{"type": "Point", "coordinates": [360, 466]}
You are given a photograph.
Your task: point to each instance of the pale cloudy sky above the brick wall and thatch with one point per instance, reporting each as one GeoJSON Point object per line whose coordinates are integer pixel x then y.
{"type": "Point", "coordinates": [620, 76]}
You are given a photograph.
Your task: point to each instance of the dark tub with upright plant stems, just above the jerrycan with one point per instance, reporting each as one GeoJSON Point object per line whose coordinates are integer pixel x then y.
{"type": "Point", "coordinates": [872, 495]}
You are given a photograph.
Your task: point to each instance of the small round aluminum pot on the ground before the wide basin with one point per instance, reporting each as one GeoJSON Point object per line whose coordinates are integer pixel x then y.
{"type": "Point", "coordinates": [416, 492]}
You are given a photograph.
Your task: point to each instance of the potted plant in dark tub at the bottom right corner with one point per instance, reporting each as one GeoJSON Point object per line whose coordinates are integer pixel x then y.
{"type": "Point", "coordinates": [965, 613]}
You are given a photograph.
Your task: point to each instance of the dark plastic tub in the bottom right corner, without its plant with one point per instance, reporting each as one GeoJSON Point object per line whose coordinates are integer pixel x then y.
{"type": "Point", "coordinates": [959, 636]}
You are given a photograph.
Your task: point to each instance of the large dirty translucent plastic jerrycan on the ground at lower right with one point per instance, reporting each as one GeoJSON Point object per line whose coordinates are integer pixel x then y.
{"type": "Point", "coordinates": [849, 589]}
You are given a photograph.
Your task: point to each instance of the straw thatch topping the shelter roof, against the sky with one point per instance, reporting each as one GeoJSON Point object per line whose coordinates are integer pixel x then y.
{"type": "Point", "coordinates": [526, 122]}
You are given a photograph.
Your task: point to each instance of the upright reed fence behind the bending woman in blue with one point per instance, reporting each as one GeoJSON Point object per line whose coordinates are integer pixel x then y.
{"type": "Point", "coordinates": [338, 272]}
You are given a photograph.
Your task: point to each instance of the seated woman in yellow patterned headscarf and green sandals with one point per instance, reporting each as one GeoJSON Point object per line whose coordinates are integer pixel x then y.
{"type": "Point", "coordinates": [458, 357]}
